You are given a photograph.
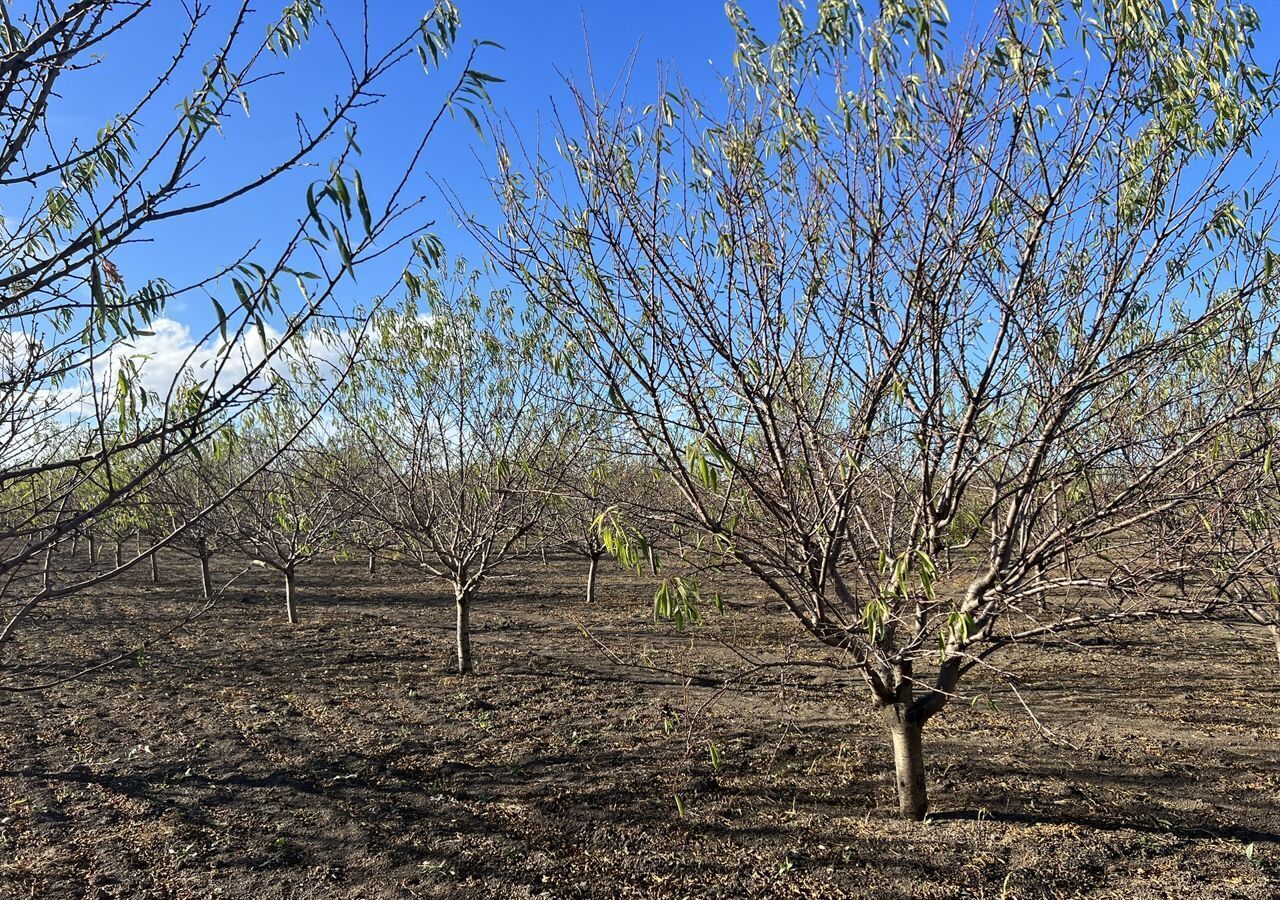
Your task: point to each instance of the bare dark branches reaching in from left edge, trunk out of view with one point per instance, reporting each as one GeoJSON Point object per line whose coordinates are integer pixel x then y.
{"type": "Point", "coordinates": [75, 399]}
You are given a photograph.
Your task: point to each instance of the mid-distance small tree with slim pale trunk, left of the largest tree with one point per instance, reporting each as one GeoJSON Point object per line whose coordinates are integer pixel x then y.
{"type": "Point", "coordinates": [463, 404]}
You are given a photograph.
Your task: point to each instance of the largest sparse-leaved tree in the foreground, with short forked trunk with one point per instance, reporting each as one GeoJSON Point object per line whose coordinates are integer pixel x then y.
{"type": "Point", "coordinates": [895, 319]}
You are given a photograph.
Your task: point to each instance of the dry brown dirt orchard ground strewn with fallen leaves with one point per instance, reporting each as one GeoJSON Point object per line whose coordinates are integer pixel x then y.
{"type": "Point", "coordinates": [340, 759]}
